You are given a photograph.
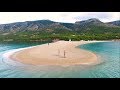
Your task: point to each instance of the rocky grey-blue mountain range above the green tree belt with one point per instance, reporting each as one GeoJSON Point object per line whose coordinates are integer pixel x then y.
{"type": "Point", "coordinates": [91, 26]}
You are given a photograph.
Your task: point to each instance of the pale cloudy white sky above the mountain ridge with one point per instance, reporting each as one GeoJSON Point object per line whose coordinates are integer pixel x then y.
{"type": "Point", "coordinates": [69, 17]}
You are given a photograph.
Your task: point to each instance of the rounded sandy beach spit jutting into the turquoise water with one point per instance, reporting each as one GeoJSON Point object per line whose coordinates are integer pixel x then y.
{"type": "Point", "coordinates": [47, 54]}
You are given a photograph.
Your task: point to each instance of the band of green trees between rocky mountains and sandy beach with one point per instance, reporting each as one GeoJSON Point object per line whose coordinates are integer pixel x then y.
{"type": "Point", "coordinates": [44, 36]}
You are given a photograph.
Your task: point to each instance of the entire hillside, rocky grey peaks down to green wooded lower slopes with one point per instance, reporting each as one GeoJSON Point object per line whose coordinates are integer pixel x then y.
{"type": "Point", "coordinates": [46, 29]}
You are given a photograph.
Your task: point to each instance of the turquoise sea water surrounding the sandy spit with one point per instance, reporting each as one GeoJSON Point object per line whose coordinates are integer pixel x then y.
{"type": "Point", "coordinates": [108, 52]}
